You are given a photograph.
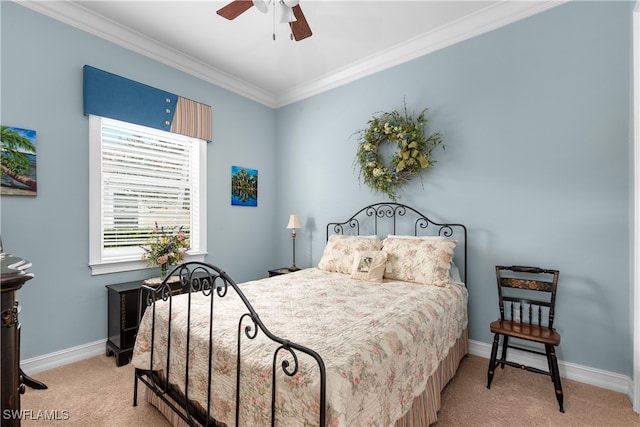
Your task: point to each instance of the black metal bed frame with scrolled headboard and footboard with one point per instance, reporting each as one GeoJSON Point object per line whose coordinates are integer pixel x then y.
{"type": "Point", "coordinates": [197, 277]}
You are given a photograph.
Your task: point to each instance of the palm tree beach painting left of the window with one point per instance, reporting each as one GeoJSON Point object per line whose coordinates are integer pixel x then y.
{"type": "Point", "coordinates": [18, 166]}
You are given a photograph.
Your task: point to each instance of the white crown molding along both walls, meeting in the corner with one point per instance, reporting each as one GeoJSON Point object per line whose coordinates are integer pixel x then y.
{"type": "Point", "coordinates": [485, 20]}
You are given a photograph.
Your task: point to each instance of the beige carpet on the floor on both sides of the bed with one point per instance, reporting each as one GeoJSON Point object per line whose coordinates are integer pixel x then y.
{"type": "Point", "coordinates": [94, 392]}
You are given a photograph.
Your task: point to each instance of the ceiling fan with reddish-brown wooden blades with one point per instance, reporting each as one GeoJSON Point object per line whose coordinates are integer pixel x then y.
{"type": "Point", "coordinates": [292, 13]}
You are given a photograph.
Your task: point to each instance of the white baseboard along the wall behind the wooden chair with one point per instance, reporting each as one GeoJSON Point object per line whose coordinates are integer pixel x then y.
{"type": "Point", "coordinates": [572, 371]}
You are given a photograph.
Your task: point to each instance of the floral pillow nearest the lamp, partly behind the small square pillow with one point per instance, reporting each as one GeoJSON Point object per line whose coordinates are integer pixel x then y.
{"type": "Point", "coordinates": [340, 251]}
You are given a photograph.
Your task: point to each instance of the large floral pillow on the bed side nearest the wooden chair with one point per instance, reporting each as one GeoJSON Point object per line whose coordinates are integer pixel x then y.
{"type": "Point", "coordinates": [425, 261]}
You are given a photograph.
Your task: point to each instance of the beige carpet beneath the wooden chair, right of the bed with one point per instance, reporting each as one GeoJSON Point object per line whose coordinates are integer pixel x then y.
{"type": "Point", "coordinates": [521, 398]}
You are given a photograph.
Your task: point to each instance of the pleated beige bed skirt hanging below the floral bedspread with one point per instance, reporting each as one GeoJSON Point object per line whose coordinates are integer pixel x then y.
{"type": "Point", "coordinates": [423, 412]}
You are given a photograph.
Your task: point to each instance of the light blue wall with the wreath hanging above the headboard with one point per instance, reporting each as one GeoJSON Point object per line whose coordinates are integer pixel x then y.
{"type": "Point", "coordinates": [535, 118]}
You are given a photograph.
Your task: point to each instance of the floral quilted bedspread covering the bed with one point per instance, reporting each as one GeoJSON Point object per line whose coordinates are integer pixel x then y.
{"type": "Point", "coordinates": [379, 342]}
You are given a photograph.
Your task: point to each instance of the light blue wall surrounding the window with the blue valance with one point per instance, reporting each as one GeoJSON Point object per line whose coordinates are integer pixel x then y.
{"type": "Point", "coordinates": [64, 306]}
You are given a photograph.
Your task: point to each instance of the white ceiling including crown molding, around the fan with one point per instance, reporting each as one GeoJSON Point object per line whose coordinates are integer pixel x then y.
{"type": "Point", "coordinates": [350, 39]}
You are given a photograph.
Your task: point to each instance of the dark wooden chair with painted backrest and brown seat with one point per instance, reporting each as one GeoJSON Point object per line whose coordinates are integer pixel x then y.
{"type": "Point", "coordinates": [527, 298]}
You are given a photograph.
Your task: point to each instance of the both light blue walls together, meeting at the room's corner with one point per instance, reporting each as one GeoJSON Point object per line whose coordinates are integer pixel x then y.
{"type": "Point", "coordinates": [535, 118]}
